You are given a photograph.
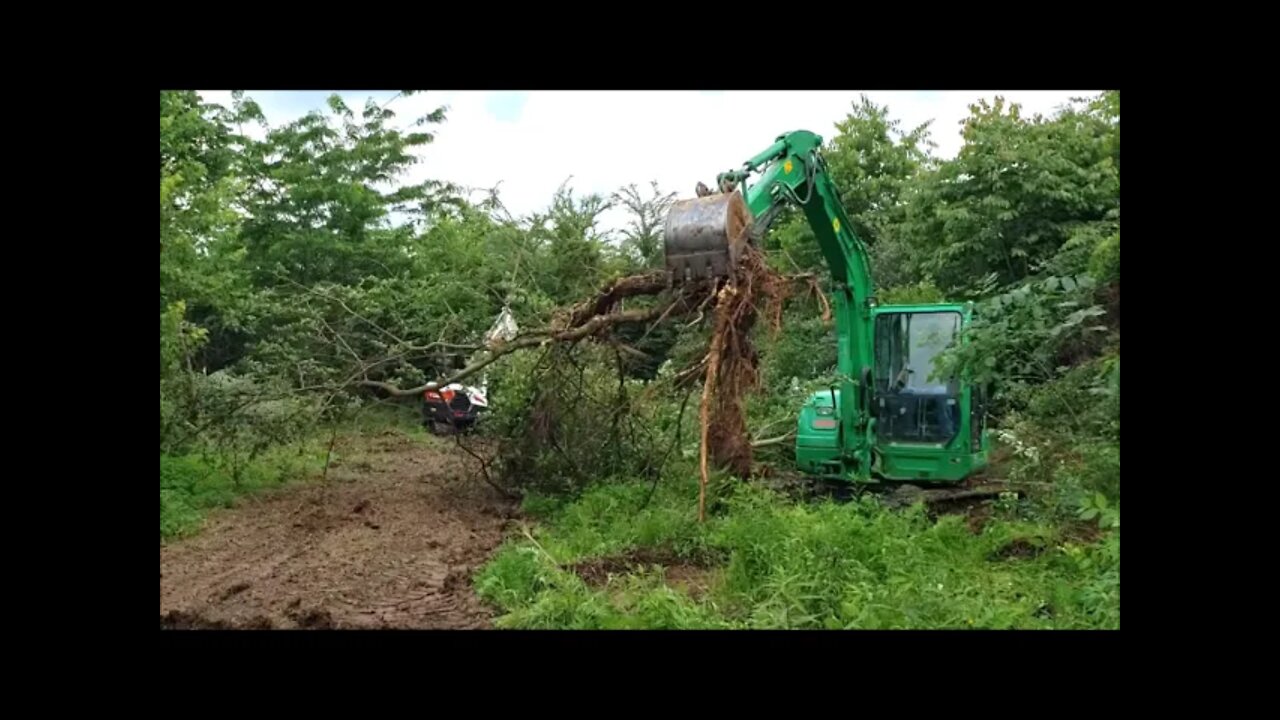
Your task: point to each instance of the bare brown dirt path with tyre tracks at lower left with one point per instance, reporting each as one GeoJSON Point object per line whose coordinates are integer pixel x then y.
{"type": "Point", "coordinates": [391, 540]}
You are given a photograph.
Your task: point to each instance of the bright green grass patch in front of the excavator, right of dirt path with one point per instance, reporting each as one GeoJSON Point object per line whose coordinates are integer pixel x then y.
{"type": "Point", "coordinates": [801, 566]}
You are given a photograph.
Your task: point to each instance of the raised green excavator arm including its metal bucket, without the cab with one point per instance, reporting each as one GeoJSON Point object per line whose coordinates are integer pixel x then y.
{"type": "Point", "coordinates": [706, 236]}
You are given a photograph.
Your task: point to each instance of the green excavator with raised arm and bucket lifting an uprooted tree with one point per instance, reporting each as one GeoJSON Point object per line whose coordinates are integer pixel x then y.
{"type": "Point", "coordinates": [890, 417]}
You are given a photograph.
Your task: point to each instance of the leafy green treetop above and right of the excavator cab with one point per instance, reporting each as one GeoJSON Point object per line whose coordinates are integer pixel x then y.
{"type": "Point", "coordinates": [1017, 193]}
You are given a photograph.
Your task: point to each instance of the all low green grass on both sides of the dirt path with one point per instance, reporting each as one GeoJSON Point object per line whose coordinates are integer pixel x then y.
{"type": "Point", "coordinates": [767, 562]}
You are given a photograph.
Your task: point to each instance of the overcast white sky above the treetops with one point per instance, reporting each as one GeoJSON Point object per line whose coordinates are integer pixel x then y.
{"type": "Point", "coordinates": [533, 142]}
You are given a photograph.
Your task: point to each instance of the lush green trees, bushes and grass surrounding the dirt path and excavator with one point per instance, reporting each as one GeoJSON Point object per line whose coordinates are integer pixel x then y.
{"type": "Point", "coordinates": [300, 261]}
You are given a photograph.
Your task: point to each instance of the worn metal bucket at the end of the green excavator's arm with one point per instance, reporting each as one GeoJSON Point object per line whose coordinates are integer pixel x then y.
{"type": "Point", "coordinates": [705, 236]}
